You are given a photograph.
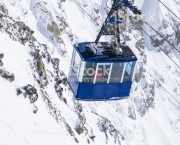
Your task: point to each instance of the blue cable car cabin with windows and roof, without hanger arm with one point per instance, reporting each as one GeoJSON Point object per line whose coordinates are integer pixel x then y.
{"type": "Point", "coordinates": [101, 75]}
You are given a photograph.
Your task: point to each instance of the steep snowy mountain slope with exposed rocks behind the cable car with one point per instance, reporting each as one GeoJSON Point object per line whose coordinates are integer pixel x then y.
{"type": "Point", "coordinates": [36, 103]}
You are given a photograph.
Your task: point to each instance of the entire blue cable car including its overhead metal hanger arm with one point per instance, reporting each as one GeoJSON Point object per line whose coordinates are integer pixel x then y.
{"type": "Point", "coordinates": [102, 70]}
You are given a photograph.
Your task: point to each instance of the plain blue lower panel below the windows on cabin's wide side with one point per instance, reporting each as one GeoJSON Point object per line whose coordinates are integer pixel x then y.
{"type": "Point", "coordinates": [112, 91]}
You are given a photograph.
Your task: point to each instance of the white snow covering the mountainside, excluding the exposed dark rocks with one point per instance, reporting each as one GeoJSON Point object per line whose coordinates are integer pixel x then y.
{"type": "Point", "coordinates": [159, 125]}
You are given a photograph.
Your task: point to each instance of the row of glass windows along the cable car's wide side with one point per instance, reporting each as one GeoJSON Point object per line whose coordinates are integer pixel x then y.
{"type": "Point", "coordinates": [104, 72]}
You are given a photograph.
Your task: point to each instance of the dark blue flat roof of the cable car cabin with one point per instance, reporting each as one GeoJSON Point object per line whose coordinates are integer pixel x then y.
{"type": "Point", "coordinates": [104, 54]}
